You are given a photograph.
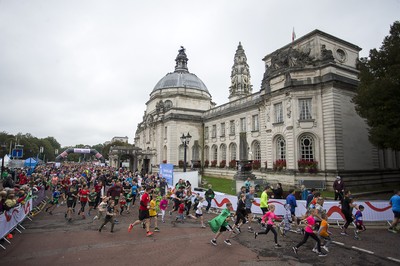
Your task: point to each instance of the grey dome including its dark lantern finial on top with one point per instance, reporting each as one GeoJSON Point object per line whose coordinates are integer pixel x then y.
{"type": "Point", "coordinates": [181, 77]}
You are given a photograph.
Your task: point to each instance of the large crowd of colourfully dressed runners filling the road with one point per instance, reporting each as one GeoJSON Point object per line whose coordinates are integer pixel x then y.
{"type": "Point", "coordinates": [110, 192]}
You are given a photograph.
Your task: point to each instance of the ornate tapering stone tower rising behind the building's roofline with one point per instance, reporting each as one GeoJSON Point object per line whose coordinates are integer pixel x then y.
{"type": "Point", "coordinates": [240, 76]}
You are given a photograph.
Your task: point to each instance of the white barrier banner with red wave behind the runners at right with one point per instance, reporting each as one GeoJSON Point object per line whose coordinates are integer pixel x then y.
{"type": "Point", "coordinates": [374, 210]}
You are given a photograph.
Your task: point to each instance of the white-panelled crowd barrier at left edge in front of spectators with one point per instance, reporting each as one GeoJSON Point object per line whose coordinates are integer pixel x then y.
{"type": "Point", "coordinates": [11, 220]}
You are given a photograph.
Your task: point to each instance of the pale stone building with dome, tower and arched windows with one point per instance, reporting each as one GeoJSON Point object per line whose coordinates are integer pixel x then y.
{"type": "Point", "coordinates": [301, 121]}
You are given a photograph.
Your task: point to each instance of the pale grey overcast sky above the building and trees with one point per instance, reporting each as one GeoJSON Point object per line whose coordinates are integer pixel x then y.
{"type": "Point", "coordinates": [81, 71]}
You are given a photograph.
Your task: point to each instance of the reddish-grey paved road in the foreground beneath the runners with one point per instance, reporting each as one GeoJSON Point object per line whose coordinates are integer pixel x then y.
{"type": "Point", "coordinates": [50, 240]}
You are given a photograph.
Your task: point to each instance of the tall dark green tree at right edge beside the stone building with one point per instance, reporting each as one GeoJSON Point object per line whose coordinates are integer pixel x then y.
{"type": "Point", "coordinates": [378, 93]}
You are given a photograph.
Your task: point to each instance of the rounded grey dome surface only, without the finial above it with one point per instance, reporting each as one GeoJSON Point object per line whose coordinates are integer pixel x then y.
{"type": "Point", "coordinates": [181, 80]}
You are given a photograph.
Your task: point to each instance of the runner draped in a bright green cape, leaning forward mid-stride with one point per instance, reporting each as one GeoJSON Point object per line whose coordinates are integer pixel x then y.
{"type": "Point", "coordinates": [220, 224]}
